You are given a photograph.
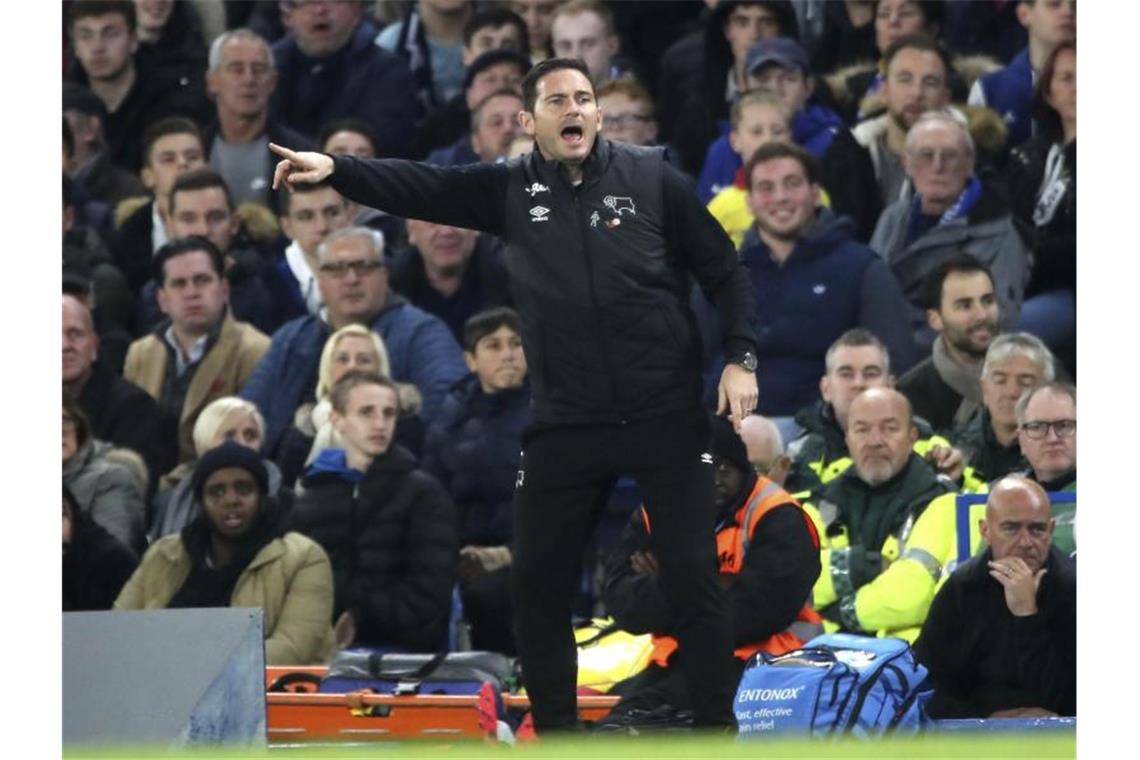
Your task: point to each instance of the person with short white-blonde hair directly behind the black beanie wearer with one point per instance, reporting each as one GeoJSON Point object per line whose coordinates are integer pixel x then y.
{"type": "Point", "coordinates": [229, 419]}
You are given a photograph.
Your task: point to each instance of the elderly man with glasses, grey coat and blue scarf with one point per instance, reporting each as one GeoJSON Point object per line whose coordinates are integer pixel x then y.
{"type": "Point", "coordinates": [952, 213]}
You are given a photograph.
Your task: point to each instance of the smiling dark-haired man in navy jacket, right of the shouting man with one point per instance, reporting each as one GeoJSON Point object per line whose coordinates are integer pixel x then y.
{"type": "Point", "coordinates": [813, 282]}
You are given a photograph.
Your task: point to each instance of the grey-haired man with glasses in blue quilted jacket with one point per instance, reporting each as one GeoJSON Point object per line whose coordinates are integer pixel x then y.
{"type": "Point", "coordinates": [353, 279]}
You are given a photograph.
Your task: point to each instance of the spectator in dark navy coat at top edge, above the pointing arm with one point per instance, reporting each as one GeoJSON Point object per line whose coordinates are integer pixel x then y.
{"type": "Point", "coordinates": [329, 68]}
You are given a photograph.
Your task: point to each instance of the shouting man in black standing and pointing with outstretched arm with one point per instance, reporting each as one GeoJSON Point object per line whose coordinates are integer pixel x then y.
{"type": "Point", "coordinates": [602, 239]}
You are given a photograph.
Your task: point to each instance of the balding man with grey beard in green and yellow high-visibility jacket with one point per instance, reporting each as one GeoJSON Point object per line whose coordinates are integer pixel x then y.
{"type": "Point", "coordinates": [875, 578]}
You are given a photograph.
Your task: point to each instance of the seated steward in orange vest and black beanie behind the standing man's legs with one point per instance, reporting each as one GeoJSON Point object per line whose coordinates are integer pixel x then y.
{"type": "Point", "coordinates": [770, 558]}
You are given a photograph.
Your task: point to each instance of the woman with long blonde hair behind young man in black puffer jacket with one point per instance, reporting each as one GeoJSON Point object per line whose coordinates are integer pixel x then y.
{"type": "Point", "coordinates": [354, 347]}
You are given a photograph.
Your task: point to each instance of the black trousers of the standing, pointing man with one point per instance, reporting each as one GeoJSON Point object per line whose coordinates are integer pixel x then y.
{"type": "Point", "coordinates": [566, 476]}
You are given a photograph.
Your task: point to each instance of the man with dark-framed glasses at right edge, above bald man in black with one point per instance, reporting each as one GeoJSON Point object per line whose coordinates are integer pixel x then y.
{"type": "Point", "coordinates": [1047, 434]}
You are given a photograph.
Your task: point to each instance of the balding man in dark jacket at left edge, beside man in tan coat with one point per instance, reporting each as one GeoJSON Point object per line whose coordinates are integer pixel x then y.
{"type": "Point", "coordinates": [119, 412]}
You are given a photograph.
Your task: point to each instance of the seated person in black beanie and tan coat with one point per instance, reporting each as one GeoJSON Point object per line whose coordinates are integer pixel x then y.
{"type": "Point", "coordinates": [235, 553]}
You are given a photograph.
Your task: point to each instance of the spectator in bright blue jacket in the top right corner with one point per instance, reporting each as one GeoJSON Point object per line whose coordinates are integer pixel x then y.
{"type": "Point", "coordinates": [1009, 91]}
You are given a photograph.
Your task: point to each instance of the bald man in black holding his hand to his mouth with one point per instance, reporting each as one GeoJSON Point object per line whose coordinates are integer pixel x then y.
{"type": "Point", "coordinates": [1000, 641]}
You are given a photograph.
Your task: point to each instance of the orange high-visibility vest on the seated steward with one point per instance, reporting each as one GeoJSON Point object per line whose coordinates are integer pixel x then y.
{"type": "Point", "coordinates": [731, 547]}
